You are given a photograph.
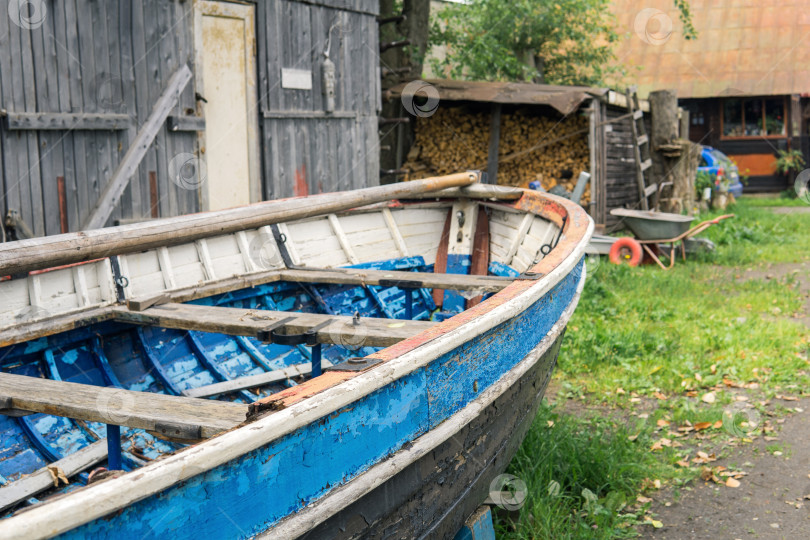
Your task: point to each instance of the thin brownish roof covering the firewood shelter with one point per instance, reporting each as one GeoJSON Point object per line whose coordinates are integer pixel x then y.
{"type": "Point", "coordinates": [565, 99]}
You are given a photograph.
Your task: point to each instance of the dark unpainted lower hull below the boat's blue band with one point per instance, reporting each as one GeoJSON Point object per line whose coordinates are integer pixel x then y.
{"type": "Point", "coordinates": [434, 496]}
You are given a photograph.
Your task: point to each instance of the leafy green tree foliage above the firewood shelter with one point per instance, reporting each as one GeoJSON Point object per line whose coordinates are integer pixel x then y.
{"type": "Point", "coordinates": [497, 40]}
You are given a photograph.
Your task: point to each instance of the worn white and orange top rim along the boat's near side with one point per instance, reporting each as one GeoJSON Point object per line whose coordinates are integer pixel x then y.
{"type": "Point", "coordinates": [398, 361]}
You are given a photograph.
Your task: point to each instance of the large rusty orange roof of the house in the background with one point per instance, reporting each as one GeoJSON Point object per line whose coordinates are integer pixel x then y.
{"type": "Point", "coordinates": [744, 47]}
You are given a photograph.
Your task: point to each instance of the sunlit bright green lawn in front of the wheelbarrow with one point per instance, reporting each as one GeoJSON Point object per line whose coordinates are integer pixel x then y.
{"type": "Point", "coordinates": [645, 330]}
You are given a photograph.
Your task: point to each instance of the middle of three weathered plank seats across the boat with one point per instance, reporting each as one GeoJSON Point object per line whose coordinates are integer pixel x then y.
{"type": "Point", "coordinates": [249, 322]}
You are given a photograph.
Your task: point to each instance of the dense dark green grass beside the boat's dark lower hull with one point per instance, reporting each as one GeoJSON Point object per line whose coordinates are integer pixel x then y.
{"type": "Point", "coordinates": [586, 483]}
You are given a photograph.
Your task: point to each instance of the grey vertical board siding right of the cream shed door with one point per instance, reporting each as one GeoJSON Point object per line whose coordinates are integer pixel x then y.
{"type": "Point", "coordinates": [305, 148]}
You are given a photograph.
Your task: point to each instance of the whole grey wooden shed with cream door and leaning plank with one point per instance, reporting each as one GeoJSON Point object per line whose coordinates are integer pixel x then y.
{"type": "Point", "coordinates": [118, 111]}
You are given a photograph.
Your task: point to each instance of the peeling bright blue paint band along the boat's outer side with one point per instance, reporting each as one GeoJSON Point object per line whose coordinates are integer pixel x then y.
{"type": "Point", "coordinates": [292, 472]}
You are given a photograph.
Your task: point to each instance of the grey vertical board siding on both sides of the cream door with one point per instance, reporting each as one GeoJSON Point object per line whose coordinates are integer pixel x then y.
{"type": "Point", "coordinates": [110, 57]}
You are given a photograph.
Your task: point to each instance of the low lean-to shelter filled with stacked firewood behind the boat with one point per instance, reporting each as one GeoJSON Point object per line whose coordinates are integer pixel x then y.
{"type": "Point", "coordinates": [523, 132]}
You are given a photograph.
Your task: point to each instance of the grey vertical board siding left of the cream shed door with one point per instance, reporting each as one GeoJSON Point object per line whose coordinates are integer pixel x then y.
{"type": "Point", "coordinates": [88, 56]}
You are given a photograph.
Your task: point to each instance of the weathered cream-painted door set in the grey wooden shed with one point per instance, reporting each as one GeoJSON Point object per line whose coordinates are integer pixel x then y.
{"type": "Point", "coordinates": [225, 66]}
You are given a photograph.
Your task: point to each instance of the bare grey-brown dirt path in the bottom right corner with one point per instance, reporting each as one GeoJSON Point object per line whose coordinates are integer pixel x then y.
{"type": "Point", "coordinates": [770, 502]}
